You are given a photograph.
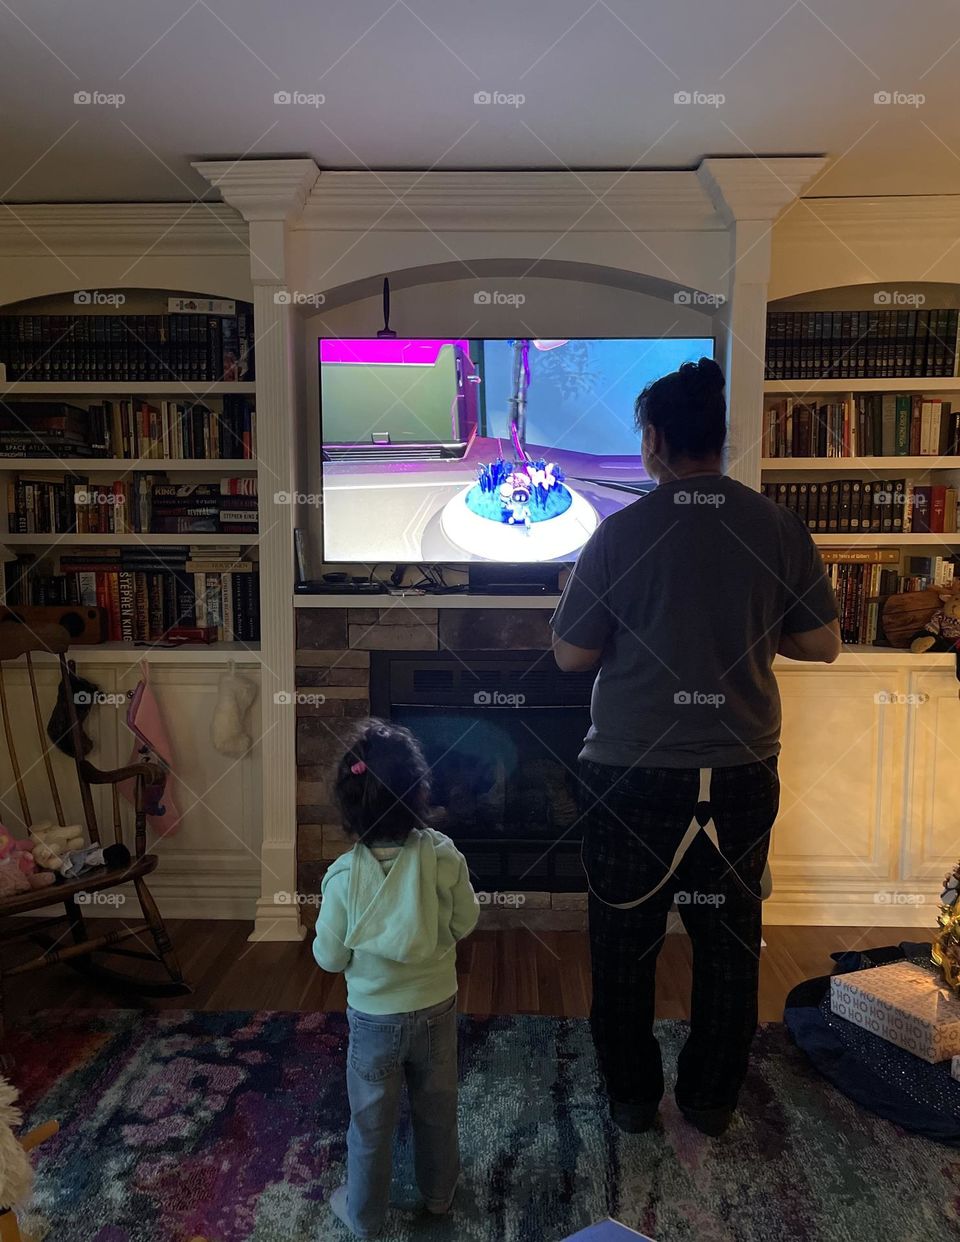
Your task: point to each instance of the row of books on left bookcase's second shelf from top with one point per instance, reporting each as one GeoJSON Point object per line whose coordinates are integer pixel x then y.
{"type": "Point", "coordinates": [131, 429]}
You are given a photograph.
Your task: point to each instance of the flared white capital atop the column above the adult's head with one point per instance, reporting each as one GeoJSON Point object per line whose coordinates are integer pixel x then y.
{"type": "Point", "coordinates": [753, 188]}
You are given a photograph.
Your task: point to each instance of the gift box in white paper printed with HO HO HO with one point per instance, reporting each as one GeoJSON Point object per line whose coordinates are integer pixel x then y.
{"type": "Point", "coordinates": [903, 1003]}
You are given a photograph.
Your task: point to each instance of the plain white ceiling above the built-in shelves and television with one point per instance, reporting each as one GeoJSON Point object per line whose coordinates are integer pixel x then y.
{"type": "Point", "coordinates": [399, 80]}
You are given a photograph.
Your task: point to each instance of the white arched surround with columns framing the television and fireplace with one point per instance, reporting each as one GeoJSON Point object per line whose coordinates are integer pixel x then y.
{"type": "Point", "coordinates": [319, 237]}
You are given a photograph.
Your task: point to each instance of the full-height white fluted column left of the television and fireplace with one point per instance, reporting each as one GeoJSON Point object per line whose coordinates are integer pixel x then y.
{"type": "Point", "coordinates": [270, 196]}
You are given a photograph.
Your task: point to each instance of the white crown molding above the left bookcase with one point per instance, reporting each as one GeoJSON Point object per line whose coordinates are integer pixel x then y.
{"type": "Point", "coordinates": [137, 229]}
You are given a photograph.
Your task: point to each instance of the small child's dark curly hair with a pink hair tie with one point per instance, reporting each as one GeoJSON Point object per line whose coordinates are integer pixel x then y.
{"type": "Point", "coordinates": [388, 794]}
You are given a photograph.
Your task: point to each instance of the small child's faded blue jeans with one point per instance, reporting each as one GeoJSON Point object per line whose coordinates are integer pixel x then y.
{"type": "Point", "coordinates": [387, 1049]}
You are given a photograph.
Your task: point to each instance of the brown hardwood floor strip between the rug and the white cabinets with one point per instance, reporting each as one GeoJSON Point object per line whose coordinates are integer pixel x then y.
{"type": "Point", "coordinates": [500, 972]}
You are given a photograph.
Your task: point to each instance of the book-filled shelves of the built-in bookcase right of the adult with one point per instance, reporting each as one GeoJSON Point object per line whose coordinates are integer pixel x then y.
{"type": "Point", "coordinates": [861, 439]}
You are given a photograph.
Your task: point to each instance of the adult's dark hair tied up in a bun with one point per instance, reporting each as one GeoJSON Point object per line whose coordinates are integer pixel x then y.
{"type": "Point", "coordinates": [689, 407]}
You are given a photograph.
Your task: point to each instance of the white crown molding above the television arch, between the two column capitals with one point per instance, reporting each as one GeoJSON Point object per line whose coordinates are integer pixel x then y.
{"type": "Point", "coordinates": [504, 202]}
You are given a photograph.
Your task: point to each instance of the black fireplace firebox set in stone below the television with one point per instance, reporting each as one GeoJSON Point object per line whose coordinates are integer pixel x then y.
{"type": "Point", "coordinates": [501, 732]}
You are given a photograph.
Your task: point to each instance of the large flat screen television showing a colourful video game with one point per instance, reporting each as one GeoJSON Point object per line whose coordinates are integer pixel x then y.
{"type": "Point", "coordinates": [481, 450]}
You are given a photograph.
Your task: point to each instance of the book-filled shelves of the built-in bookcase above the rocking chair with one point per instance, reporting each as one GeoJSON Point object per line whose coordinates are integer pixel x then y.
{"type": "Point", "coordinates": [130, 468]}
